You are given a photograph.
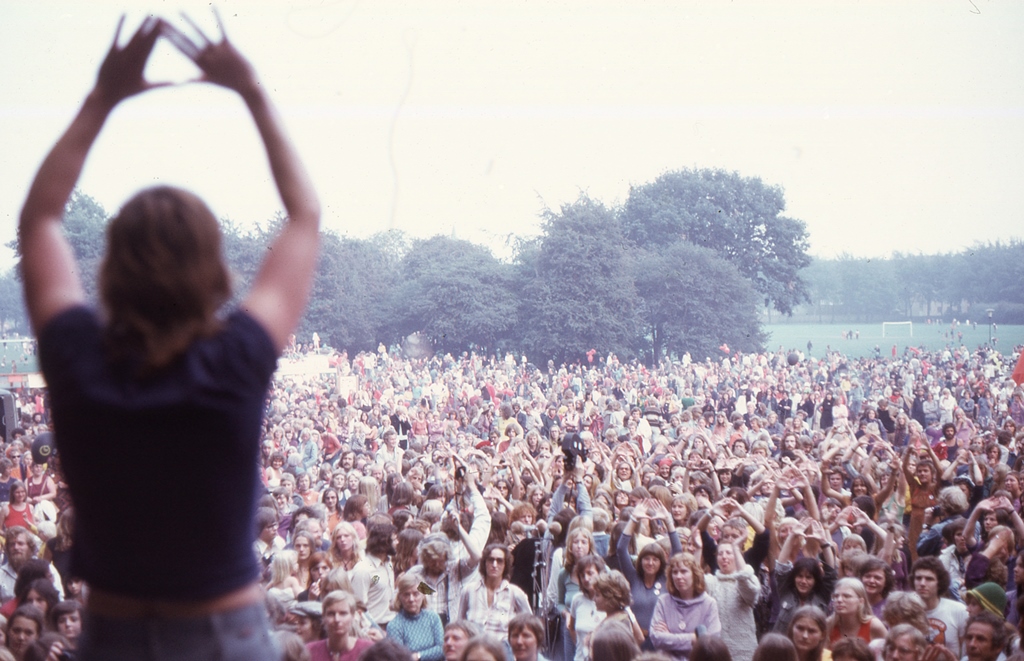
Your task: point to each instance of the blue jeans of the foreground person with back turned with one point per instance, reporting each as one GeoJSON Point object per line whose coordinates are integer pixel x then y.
{"type": "Point", "coordinates": [243, 635]}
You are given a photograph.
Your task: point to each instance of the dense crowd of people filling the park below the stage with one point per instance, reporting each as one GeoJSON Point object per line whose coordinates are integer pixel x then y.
{"type": "Point", "coordinates": [483, 509]}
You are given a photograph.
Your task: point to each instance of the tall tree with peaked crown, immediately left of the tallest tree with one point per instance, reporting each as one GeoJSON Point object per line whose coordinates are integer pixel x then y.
{"type": "Point", "coordinates": [578, 291]}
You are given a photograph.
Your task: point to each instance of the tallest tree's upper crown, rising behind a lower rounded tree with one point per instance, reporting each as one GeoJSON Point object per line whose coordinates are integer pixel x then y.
{"type": "Point", "coordinates": [740, 218]}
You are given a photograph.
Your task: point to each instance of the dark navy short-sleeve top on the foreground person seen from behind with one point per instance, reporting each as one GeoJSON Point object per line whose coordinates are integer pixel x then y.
{"type": "Point", "coordinates": [163, 471]}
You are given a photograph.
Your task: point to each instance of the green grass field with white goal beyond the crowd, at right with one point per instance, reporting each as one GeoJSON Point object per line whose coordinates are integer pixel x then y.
{"type": "Point", "coordinates": [795, 336]}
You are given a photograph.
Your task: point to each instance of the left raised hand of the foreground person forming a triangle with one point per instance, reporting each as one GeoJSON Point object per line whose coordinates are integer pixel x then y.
{"type": "Point", "coordinates": [121, 75]}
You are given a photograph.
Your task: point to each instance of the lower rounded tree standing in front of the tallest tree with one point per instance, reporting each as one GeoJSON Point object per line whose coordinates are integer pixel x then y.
{"type": "Point", "coordinates": [693, 300]}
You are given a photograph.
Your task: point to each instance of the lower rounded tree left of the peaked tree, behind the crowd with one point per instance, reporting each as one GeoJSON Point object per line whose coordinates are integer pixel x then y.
{"type": "Point", "coordinates": [455, 293]}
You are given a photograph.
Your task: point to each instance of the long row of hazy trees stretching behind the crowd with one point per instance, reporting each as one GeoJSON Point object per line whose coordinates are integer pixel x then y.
{"type": "Point", "coordinates": [691, 262]}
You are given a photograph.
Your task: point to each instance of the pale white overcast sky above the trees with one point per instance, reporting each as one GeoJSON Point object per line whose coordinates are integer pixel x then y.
{"type": "Point", "coordinates": [890, 125]}
